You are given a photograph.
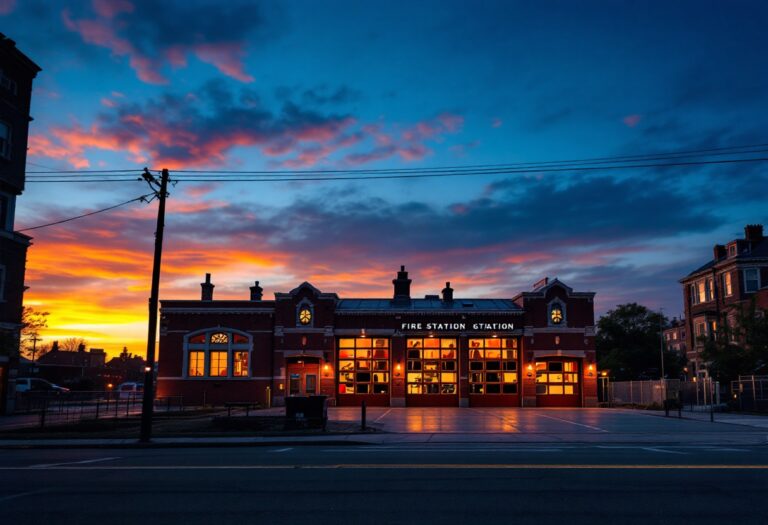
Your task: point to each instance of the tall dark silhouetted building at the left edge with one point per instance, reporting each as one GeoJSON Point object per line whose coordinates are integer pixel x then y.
{"type": "Point", "coordinates": [16, 74]}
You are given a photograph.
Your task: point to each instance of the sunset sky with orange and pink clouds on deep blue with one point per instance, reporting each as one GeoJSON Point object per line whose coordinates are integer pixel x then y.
{"type": "Point", "coordinates": [340, 85]}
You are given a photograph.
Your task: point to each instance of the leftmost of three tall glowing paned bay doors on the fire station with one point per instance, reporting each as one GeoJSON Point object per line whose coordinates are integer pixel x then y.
{"type": "Point", "coordinates": [363, 366]}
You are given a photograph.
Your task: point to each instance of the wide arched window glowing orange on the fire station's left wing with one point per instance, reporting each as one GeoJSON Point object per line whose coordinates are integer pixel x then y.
{"type": "Point", "coordinates": [219, 353]}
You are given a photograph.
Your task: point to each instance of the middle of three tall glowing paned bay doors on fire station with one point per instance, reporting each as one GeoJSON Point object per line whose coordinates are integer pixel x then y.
{"type": "Point", "coordinates": [432, 366]}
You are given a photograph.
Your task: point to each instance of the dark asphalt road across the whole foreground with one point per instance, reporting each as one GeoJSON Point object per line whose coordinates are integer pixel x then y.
{"type": "Point", "coordinates": [403, 483]}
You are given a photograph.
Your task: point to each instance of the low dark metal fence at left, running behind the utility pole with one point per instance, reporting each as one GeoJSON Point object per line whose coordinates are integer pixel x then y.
{"type": "Point", "coordinates": [51, 408]}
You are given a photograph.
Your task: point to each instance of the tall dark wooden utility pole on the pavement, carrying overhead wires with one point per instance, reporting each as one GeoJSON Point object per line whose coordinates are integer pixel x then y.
{"type": "Point", "coordinates": [147, 406]}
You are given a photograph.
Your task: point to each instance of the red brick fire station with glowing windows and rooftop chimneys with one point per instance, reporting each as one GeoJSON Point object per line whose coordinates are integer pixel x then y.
{"type": "Point", "coordinates": [536, 349]}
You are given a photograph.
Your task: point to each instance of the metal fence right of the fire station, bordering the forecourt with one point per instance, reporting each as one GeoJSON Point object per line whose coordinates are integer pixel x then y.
{"type": "Point", "coordinates": [689, 394]}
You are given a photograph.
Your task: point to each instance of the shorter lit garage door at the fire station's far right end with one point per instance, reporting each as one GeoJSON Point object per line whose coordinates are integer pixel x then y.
{"type": "Point", "coordinates": [558, 383]}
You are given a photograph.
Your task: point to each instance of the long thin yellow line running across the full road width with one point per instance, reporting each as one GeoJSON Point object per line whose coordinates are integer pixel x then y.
{"type": "Point", "coordinates": [406, 466]}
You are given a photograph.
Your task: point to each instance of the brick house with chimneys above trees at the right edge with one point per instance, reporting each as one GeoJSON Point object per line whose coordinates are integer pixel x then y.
{"type": "Point", "coordinates": [736, 275]}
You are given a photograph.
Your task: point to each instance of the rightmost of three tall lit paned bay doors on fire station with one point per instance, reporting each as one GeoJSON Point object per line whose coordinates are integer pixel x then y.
{"type": "Point", "coordinates": [493, 366]}
